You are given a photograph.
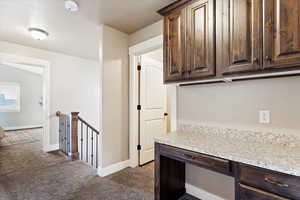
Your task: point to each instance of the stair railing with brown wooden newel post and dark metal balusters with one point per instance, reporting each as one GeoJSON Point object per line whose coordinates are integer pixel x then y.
{"type": "Point", "coordinates": [72, 129]}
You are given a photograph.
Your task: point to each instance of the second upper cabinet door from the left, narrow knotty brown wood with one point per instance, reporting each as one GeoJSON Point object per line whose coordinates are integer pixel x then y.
{"type": "Point", "coordinates": [201, 39]}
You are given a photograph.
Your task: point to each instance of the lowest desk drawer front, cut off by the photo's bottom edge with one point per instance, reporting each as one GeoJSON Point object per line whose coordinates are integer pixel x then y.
{"type": "Point", "coordinates": [249, 193]}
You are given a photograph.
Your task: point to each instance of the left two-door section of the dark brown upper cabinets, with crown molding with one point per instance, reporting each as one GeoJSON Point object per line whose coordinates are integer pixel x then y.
{"type": "Point", "coordinates": [189, 40]}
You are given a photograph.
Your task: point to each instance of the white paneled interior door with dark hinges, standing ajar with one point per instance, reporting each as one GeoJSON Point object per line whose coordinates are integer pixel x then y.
{"type": "Point", "coordinates": [153, 99]}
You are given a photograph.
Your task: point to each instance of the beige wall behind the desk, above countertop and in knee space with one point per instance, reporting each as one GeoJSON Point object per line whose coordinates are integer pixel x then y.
{"type": "Point", "coordinates": [238, 104]}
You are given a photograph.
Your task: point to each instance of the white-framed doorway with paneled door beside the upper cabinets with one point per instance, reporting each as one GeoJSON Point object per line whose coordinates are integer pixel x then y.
{"type": "Point", "coordinates": [152, 104]}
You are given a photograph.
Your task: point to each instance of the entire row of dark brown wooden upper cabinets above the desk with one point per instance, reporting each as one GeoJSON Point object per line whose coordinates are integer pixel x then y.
{"type": "Point", "coordinates": [215, 39]}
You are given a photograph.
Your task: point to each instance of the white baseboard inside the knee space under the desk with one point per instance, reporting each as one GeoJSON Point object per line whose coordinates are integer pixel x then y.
{"type": "Point", "coordinates": [200, 193]}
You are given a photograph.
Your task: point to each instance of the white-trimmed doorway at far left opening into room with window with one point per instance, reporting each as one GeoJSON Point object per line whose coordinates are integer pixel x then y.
{"type": "Point", "coordinates": [24, 101]}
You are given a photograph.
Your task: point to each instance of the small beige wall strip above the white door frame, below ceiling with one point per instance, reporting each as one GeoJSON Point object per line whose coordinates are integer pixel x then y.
{"type": "Point", "coordinates": [146, 33]}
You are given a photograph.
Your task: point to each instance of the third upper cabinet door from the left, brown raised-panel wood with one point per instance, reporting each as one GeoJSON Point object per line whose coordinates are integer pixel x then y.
{"type": "Point", "coordinates": [241, 44]}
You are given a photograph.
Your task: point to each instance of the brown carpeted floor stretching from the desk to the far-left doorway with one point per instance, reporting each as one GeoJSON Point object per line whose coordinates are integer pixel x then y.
{"type": "Point", "coordinates": [28, 173]}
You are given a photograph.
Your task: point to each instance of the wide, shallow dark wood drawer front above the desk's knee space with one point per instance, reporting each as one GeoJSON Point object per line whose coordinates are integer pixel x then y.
{"type": "Point", "coordinates": [201, 160]}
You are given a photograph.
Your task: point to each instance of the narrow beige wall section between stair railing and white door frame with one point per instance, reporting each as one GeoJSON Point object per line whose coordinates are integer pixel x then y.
{"type": "Point", "coordinates": [115, 75]}
